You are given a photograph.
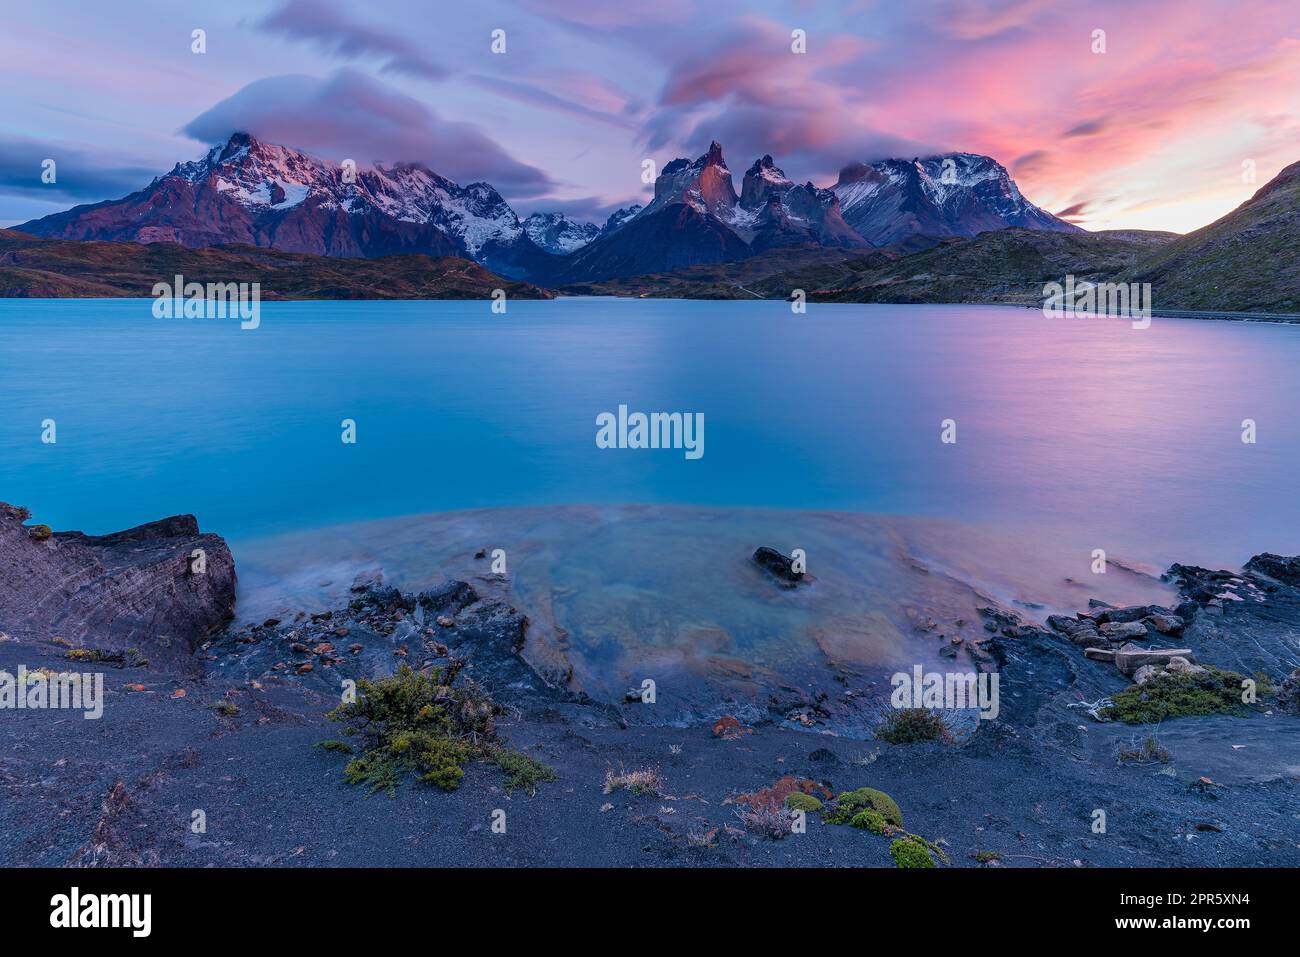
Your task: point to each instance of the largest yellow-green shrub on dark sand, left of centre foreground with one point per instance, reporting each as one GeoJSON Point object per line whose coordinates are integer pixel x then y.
{"type": "Point", "coordinates": [424, 725]}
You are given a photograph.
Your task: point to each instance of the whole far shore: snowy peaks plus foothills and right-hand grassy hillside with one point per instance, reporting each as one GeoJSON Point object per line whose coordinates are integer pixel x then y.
{"type": "Point", "coordinates": [948, 228]}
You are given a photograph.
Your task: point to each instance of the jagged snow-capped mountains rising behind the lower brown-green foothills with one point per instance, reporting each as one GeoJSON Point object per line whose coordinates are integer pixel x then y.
{"type": "Point", "coordinates": [261, 194]}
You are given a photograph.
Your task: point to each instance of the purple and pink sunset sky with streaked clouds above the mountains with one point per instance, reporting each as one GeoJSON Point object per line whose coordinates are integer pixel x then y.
{"type": "Point", "coordinates": [1159, 132]}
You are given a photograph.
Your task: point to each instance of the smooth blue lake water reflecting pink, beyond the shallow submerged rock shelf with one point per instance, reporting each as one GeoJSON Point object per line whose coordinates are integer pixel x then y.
{"type": "Point", "coordinates": [1119, 439]}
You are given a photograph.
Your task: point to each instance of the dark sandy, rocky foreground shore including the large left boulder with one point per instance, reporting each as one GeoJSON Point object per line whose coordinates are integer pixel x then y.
{"type": "Point", "coordinates": [222, 722]}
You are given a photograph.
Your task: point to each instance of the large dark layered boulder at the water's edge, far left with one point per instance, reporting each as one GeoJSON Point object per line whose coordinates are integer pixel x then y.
{"type": "Point", "coordinates": [159, 588]}
